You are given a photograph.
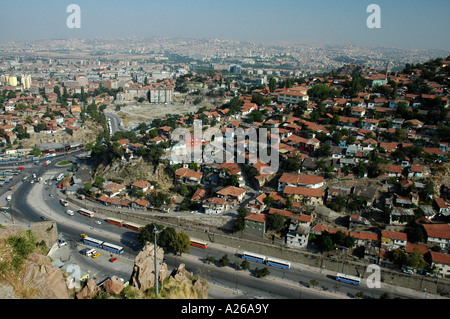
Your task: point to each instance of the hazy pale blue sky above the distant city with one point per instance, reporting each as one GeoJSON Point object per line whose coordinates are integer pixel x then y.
{"type": "Point", "coordinates": [404, 23]}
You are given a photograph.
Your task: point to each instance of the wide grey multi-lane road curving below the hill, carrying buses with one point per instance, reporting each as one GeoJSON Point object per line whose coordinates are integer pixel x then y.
{"type": "Point", "coordinates": [226, 282]}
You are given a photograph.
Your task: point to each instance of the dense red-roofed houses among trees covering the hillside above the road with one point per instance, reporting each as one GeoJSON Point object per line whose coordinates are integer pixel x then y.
{"type": "Point", "coordinates": [364, 157]}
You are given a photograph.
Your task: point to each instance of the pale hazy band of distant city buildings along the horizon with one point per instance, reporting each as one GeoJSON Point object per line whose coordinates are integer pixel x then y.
{"type": "Point", "coordinates": [254, 57]}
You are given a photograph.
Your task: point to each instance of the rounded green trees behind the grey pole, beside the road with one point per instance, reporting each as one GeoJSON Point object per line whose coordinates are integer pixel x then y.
{"type": "Point", "coordinates": [167, 238]}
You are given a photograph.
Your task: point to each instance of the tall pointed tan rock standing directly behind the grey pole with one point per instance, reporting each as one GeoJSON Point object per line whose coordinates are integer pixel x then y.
{"type": "Point", "coordinates": [143, 276]}
